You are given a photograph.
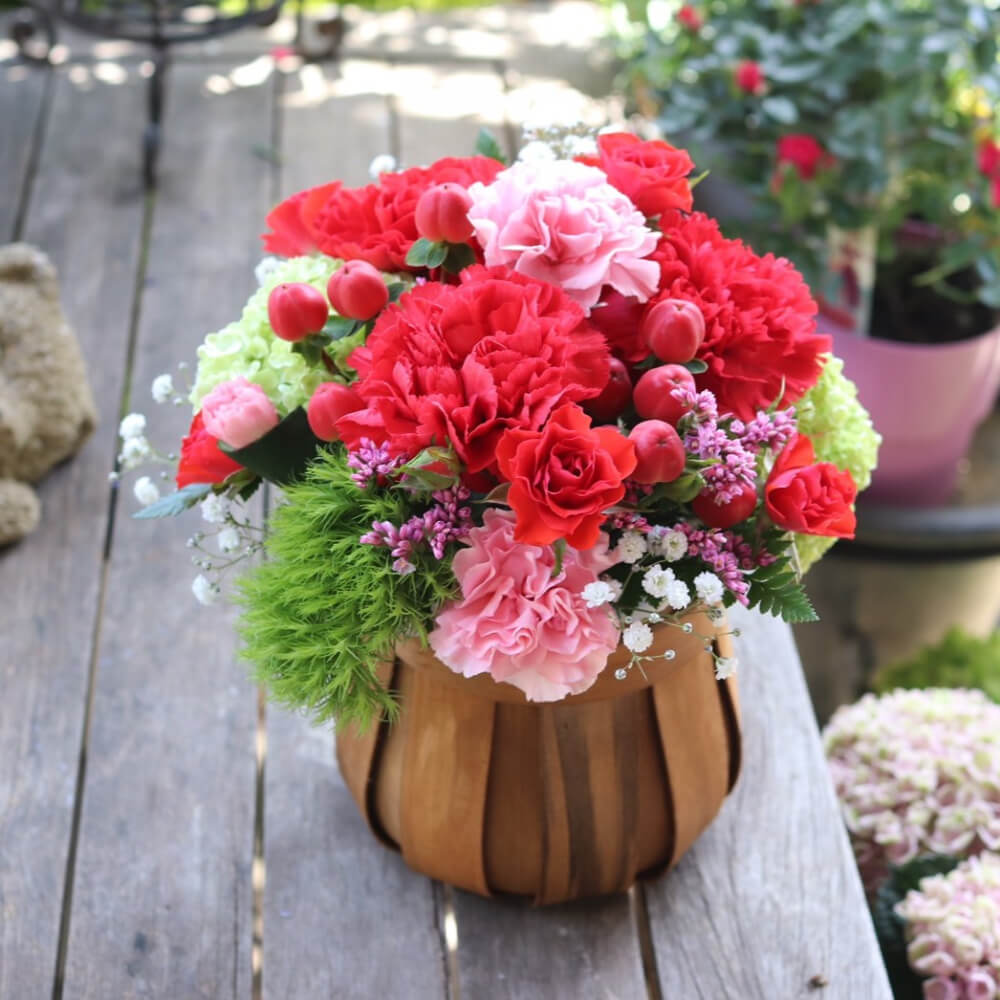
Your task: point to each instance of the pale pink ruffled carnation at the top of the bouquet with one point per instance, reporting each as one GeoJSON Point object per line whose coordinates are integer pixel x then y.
{"type": "Point", "coordinates": [562, 222]}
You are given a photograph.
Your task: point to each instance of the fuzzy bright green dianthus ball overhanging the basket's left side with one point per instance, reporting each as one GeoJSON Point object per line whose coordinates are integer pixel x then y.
{"type": "Point", "coordinates": [322, 611]}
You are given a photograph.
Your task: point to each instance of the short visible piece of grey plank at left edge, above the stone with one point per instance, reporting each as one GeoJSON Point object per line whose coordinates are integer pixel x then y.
{"type": "Point", "coordinates": [22, 102]}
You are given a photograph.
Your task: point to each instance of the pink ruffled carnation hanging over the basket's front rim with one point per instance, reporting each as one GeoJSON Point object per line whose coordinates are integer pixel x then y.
{"type": "Point", "coordinates": [518, 622]}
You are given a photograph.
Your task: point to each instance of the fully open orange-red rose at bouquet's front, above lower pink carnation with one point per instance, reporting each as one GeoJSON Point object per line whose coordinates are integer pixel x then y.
{"type": "Point", "coordinates": [564, 477]}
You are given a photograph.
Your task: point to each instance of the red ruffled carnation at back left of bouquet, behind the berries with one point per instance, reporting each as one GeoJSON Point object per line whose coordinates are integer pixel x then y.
{"type": "Point", "coordinates": [376, 222]}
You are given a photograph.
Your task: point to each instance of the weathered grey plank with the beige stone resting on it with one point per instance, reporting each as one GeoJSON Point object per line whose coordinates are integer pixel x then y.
{"type": "Point", "coordinates": [51, 581]}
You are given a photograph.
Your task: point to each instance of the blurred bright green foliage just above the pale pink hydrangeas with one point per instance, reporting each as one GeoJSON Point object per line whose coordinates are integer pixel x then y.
{"type": "Point", "coordinates": [959, 660]}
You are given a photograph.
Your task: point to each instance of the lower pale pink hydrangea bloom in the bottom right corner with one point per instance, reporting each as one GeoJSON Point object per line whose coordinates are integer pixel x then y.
{"type": "Point", "coordinates": [953, 931]}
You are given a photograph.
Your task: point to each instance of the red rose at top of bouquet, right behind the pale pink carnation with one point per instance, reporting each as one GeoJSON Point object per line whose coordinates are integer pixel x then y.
{"type": "Point", "coordinates": [652, 174]}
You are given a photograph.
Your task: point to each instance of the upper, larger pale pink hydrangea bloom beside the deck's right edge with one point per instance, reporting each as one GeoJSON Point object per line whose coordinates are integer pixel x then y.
{"type": "Point", "coordinates": [917, 772]}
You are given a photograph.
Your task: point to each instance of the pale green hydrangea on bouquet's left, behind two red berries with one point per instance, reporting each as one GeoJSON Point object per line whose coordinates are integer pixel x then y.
{"type": "Point", "coordinates": [248, 347]}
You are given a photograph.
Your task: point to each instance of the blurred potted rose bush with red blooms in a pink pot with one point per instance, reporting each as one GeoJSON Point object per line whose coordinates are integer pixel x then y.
{"type": "Point", "coordinates": [864, 137]}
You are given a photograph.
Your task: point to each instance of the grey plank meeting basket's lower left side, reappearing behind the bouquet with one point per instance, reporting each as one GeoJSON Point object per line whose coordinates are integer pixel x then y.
{"type": "Point", "coordinates": [343, 916]}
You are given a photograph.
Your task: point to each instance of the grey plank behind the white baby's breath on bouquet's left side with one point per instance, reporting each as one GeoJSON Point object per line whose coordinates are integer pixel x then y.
{"type": "Point", "coordinates": [162, 899]}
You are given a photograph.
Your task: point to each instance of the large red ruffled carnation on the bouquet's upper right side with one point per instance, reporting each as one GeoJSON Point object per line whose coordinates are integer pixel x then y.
{"type": "Point", "coordinates": [759, 315]}
